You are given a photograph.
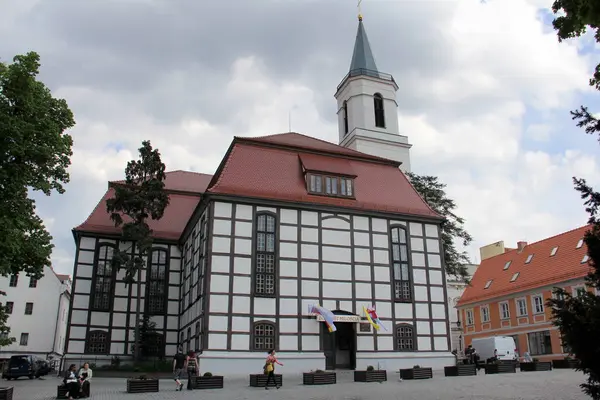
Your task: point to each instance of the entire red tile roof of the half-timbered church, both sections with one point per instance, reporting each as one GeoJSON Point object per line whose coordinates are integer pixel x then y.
{"type": "Point", "coordinates": [270, 167]}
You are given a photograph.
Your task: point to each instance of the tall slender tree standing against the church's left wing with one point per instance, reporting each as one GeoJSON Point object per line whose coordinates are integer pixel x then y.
{"type": "Point", "coordinates": [140, 197]}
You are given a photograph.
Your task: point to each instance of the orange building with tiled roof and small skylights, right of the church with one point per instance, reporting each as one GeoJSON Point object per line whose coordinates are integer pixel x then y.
{"type": "Point", "coordinates": [508, 292]}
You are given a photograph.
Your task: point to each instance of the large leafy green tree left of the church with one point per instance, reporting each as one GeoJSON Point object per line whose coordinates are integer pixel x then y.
{"type": "Point", "coordinates": [35, 153]}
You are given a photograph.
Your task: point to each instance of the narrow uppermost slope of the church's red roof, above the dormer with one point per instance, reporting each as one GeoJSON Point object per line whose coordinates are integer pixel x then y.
{"type": "Point", "coordinates": [300, 141]}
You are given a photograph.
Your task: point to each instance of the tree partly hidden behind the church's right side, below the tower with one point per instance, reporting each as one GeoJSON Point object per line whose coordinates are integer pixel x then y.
{"type": "Point", "coordinates": [452, 229]}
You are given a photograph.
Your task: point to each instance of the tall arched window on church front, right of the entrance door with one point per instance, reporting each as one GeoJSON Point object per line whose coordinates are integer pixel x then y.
{"type": "Point", "coordinates": [402, 282]}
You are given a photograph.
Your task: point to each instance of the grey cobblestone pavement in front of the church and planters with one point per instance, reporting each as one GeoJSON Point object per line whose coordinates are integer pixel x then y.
{"type": "Point", "coordinates": [553, 385]}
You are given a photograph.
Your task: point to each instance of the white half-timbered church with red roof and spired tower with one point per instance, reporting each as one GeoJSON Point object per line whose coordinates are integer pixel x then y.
{"type": "Point", "coordinates": [287, 221]}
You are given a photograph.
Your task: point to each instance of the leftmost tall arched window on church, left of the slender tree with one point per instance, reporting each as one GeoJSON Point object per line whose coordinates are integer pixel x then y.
{"type": "Point", "coordinates": [103, 278]}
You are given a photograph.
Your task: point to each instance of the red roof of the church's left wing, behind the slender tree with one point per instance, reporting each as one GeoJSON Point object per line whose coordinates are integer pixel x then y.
{"type": "Point", "coordinates": [169, 227]}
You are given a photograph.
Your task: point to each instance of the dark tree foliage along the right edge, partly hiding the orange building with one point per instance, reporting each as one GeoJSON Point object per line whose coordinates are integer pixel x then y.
{"type": "Point", "coordinates": [578, 318]}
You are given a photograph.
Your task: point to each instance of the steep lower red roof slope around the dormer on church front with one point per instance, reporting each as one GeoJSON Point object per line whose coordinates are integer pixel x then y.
{"type": "Point", "coordinates": [276, 173]}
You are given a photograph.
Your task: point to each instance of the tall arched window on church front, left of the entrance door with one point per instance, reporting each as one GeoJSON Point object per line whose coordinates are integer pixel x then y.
{"type": "Point", "coordinates": [264, 277]}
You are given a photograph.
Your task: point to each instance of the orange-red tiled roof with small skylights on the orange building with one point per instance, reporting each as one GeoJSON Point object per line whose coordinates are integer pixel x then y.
{"type": "Point", "coordinates": [542, 270]}
